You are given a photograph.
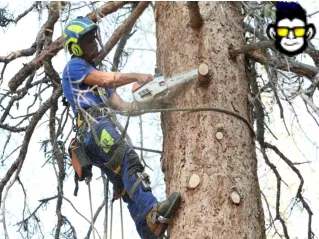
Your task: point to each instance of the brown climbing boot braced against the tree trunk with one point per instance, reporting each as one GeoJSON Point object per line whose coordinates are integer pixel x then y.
{"type": "Point", "coordinates": [161, 214]}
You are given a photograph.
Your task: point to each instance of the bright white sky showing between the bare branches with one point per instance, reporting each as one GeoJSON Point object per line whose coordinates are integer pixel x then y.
{"type": "Point", "coordinates": [296, 146]}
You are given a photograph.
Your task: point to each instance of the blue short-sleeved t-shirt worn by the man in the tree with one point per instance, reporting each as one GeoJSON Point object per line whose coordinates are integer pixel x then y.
{"type": "Point", "coordinates": [79, 94]}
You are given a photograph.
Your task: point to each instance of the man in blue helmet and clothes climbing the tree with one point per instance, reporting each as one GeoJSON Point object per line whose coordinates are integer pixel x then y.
{"type": "Point", "coordinates": [103, 145]}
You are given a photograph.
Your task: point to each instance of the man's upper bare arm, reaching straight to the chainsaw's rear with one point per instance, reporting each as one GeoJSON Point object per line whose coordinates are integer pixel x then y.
{"type": "Point", "coordinates": [115, 79]}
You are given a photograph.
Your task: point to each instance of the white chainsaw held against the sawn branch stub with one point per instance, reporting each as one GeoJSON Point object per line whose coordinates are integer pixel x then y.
{"type": "Point", "coordinates": [154, 91]}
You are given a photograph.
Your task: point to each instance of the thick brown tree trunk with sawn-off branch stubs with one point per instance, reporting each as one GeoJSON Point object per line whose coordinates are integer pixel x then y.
{"type": "Point", "coordinates": [209, 156]}
